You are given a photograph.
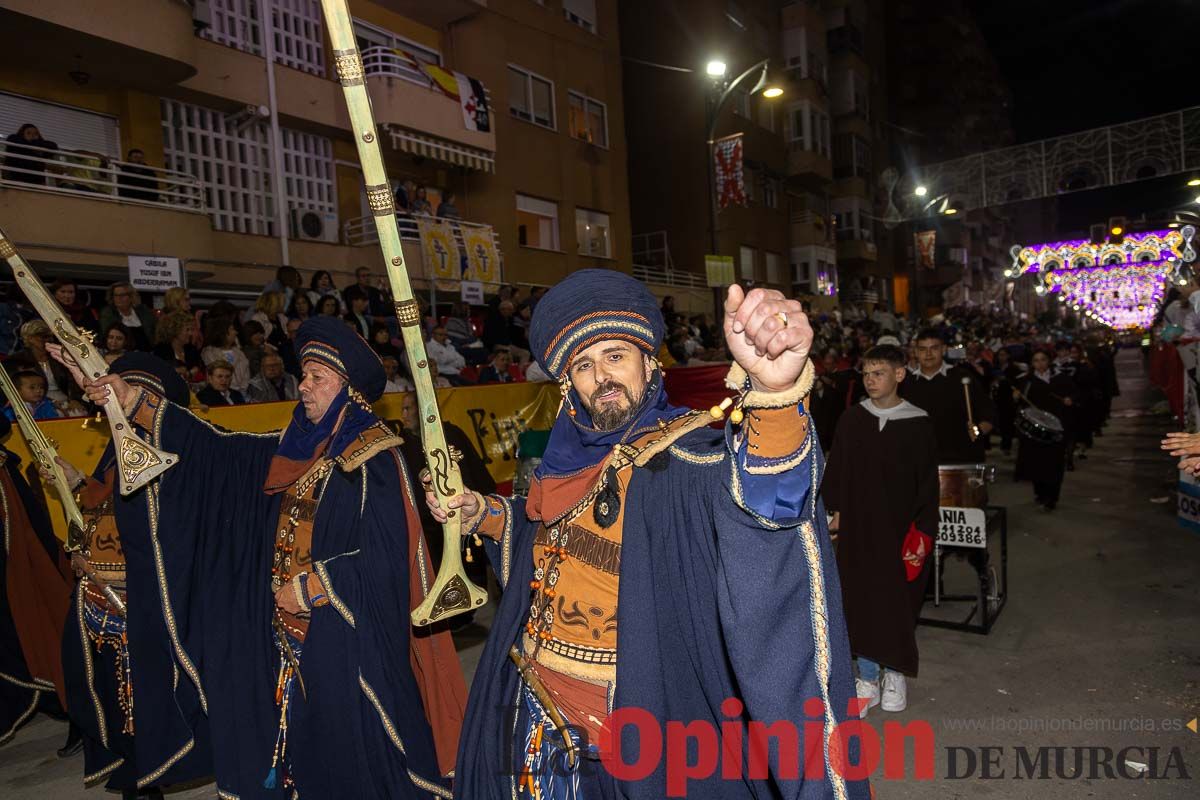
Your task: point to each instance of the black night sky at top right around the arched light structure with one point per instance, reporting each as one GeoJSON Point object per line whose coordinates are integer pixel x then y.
{"type": "Point", "coordinates": [1075, 65]}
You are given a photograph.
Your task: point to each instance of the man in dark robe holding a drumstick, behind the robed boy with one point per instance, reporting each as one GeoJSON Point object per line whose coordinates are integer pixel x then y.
{"type": "Point", "coordinates": [938, 389]}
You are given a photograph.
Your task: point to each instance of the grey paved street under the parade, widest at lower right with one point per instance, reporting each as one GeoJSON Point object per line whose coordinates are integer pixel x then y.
{"type": "Point", "coordinates": [1097, 647]}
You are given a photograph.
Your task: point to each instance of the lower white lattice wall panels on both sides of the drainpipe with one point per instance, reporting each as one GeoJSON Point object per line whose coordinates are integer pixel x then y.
{"type": "Point", "coordinates": [233, 160]}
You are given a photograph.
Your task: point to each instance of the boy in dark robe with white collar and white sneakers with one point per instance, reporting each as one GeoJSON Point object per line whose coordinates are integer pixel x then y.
{"type": "Point", "coordinates": [881, 488]}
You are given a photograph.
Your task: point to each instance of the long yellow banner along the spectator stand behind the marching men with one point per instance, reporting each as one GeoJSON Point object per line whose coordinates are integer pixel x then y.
{"type": "Point", "coordinates": [491, 417]}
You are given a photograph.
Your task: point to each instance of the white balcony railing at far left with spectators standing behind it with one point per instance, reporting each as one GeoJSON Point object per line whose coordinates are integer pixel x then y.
{"type": "Point", "coordinates": [99, 178]}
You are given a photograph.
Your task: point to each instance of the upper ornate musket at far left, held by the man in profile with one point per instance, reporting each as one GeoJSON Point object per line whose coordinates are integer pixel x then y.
{"type": "Point", "coordinates": [137, 464]}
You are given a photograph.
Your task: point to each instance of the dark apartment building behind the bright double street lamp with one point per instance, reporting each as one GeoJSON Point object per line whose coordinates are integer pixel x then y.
{"type": "Point", "coordinates": [809, 155]}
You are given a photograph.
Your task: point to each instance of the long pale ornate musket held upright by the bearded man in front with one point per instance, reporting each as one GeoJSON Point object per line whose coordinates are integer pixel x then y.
{"type": "Point", "coordinates": [453, 592]}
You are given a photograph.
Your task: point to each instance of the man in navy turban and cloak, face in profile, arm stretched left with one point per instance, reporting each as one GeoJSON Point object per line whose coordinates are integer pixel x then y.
{"type": "Point", "coordinates": [287, 567]}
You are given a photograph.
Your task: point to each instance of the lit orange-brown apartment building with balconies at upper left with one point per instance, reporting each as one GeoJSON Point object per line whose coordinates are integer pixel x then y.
{"type": "Point", "coordinates": [253, 170]}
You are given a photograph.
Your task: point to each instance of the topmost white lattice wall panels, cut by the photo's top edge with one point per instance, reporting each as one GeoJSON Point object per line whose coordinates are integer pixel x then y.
{"type": "Point", "coordinates": [299, 38]}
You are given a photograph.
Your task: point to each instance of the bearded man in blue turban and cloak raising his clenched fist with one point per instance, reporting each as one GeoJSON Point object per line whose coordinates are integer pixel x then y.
{"type": "Point", "coordinates": [667, 582]}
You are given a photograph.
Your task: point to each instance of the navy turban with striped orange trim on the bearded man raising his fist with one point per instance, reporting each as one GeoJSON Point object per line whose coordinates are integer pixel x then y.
{"type": "Point", "coordinates": [593, 306]}
